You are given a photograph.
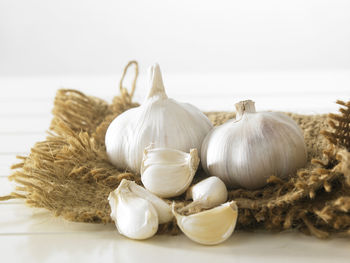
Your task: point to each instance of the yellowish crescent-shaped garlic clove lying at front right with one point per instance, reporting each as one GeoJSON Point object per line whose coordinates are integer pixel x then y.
{"type": "Point", "coordinates": [209, 227]}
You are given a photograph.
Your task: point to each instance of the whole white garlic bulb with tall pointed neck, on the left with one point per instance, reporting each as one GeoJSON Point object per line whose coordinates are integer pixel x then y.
{"type": "Point", "coordinates": [159, 120]}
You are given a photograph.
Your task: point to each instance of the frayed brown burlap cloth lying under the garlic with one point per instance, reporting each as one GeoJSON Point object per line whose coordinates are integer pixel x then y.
{"type": "Point", "coordinates": [70, 175]}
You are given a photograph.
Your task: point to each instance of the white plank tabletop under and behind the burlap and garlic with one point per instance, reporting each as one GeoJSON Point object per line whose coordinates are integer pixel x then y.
{"type": "Point", "coordinates": [34, 235]}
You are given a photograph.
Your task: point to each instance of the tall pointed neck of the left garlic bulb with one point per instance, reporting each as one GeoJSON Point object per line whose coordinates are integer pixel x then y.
{"type": "Point", "coordinates": [156, 86]}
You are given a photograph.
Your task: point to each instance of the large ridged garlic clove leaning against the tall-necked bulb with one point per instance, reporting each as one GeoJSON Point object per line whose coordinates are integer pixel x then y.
{"type": "Point", "coordinates": [167, 172]}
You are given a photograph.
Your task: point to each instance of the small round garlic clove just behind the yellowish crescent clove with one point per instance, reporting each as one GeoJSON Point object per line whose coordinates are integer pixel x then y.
{"type": "Point", "coordinates": [208, 193]}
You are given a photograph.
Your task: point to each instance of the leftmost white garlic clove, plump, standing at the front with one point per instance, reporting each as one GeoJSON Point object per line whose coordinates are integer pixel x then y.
{"type": "Point", "coordinates": [135, 217]}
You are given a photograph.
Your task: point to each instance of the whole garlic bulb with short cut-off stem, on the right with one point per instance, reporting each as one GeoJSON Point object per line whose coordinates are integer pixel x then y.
{"type": "Point", "coordinates": [244, 152]}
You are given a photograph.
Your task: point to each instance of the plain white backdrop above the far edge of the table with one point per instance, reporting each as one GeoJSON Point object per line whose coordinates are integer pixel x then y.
{"type": "Point", "coordinates": [98, 37]}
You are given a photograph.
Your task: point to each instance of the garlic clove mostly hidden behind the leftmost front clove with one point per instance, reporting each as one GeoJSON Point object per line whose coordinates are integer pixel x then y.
{"type": "Point", "coordinates": [163, 209]}
